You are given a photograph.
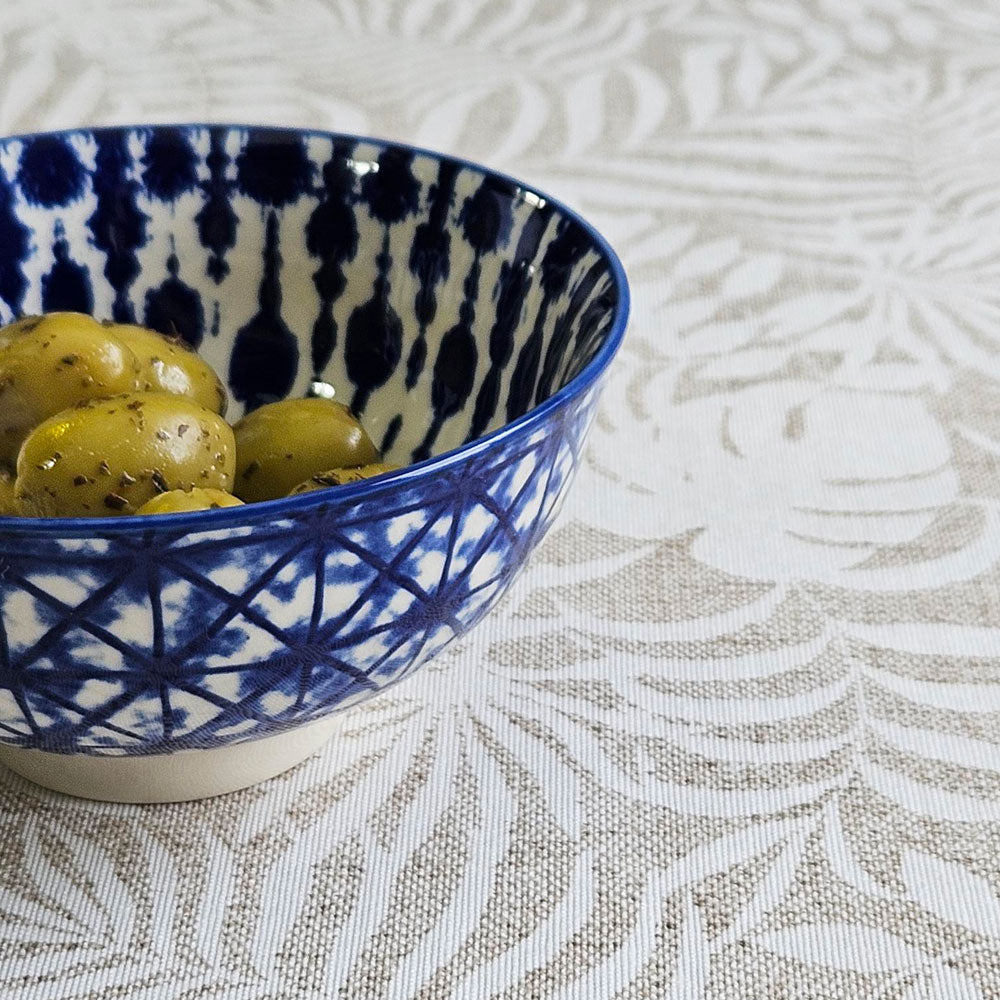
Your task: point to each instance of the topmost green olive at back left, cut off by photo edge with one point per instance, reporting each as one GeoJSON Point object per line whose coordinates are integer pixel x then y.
{"type": "Point", "coordinates": [62, 359]}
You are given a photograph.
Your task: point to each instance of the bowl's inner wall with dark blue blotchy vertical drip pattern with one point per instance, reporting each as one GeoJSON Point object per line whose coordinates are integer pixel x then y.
{"type": "Point", "coordinates": [439, 300]}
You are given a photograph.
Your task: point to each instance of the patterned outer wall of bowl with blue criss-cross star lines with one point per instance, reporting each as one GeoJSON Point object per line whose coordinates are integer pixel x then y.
{"type": "Point", "coordinates": [163, 640]}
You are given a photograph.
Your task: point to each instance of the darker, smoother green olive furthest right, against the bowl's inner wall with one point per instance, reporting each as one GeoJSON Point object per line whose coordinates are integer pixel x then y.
{"type": "Point", "coordinates": [282, 444]}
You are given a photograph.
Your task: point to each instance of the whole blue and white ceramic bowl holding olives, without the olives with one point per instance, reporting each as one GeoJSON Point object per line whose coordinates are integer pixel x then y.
{"type": "Point", "coordinates": [467, 318]}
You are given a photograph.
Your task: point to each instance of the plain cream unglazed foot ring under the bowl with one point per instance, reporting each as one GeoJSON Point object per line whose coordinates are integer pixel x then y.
{"type": "Point", "coordinates": [173, 777]}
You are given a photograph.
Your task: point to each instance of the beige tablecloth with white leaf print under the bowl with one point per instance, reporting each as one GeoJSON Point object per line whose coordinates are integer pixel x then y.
{"type": "Point", "coordinates": [735, 733]}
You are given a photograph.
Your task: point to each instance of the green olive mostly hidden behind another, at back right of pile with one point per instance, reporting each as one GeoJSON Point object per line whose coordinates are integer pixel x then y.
{"type": "Point", "coordinates": [167, 364]}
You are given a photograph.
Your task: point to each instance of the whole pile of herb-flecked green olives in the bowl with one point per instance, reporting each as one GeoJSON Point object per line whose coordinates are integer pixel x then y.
{"type": "Point", "coordinates": [108, 419]}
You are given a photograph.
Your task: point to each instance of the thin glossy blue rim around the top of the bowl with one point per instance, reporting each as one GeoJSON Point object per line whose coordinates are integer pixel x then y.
{"type": "Point", "coordinates": [189, 522]}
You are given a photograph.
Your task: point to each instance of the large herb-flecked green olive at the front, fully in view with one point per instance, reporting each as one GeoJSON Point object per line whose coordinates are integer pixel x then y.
{"type": "Point", "coordinates": [108, 457]}
